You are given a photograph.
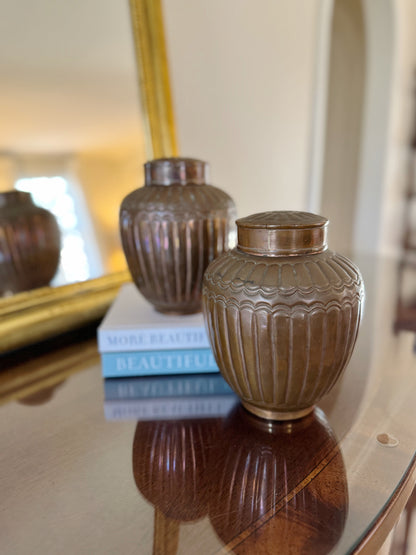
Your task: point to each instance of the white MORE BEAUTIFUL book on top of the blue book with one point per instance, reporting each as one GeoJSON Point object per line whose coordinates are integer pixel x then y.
{"type": "Point", "coordinates": [132, 324]}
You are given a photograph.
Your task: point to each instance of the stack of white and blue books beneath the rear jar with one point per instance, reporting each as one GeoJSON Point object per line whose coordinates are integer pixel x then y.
{"type": "Point", "coordinates": [135, 340]}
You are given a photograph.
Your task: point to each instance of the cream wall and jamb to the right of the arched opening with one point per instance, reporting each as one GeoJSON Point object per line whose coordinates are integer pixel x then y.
{"type": "Point", "coordinates": [389, 120]}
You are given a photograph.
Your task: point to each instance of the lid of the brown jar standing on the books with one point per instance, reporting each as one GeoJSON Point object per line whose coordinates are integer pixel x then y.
{"type": "Point", "coordinates": [176, 171]}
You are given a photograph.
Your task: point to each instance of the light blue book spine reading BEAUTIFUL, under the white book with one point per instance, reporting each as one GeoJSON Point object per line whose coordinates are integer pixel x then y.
{"type": "Point", "coordinates": [157, 363]}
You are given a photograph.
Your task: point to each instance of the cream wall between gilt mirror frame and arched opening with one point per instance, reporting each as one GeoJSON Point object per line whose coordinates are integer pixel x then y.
{"type": "Point", "coordinates": [243, 80]}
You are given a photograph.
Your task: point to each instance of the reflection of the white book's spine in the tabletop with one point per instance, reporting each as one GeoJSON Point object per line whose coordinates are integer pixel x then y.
{"type": "Point", "coordinates": [166, 408]}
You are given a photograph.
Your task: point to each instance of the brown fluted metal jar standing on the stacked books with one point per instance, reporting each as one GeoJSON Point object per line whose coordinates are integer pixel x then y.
{"type": "Point", "coordinates": [171, 229]}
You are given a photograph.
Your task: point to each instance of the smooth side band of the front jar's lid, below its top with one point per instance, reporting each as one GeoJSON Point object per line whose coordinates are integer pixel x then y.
{"type": "Point", "coordinates": [282, 242]}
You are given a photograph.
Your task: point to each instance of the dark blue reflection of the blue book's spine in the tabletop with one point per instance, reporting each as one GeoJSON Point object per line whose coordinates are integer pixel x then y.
{"type": "Point", "coordinates": [165, 386]}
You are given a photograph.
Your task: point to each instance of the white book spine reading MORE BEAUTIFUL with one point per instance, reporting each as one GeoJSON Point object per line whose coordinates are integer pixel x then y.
{"type": "Point", "coordinates": [152, 339]}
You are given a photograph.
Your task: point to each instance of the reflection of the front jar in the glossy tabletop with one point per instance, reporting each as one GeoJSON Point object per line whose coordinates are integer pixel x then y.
{"type": "Point", "coordinates": [278, 487]}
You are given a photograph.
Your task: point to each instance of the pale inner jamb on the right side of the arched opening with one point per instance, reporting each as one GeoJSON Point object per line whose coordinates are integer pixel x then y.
{"type": "Point", "coordinates": [380, 38]}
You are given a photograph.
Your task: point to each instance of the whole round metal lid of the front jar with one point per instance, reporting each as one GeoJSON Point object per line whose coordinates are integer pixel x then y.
{"type": "Point", "coordinates": [282, 233]}
